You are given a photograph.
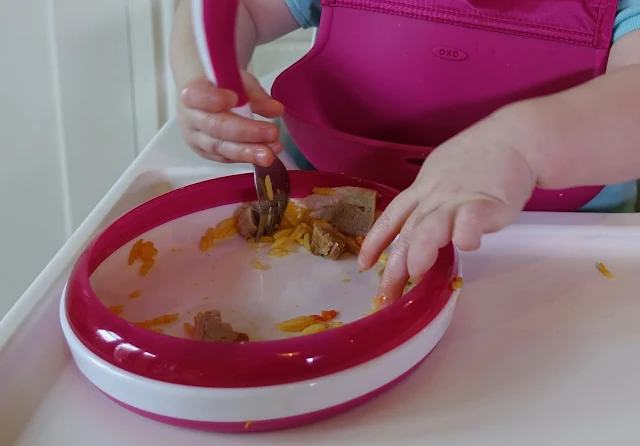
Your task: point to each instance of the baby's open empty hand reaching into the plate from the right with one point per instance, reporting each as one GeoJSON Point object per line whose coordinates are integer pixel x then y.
{"type": "Point", "coordinates": [473, 184]}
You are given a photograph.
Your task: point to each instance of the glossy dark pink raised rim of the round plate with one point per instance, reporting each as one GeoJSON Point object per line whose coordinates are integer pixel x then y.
{"type": "Point", "coordinates": [188, 362]}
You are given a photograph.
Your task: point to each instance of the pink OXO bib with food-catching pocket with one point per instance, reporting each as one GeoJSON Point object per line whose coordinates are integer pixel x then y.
{"type": "Point", "coordinates": [388, 80]}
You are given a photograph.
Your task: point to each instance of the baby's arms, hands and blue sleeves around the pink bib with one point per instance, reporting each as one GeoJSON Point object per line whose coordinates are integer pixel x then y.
{"type": "Point", "coordinates": [460, 194]}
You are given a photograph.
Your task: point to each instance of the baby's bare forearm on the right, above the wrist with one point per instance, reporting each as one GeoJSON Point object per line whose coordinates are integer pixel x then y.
{"type": "Point", "coordinates": [588, 135]}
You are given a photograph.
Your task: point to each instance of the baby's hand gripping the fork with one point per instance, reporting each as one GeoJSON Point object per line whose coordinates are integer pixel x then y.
{"type": "Point", "coordinates": [215, 133]}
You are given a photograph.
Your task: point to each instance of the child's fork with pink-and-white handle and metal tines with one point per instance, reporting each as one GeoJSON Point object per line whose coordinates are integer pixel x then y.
{"type": "Point", "coordinates": [214, 32]}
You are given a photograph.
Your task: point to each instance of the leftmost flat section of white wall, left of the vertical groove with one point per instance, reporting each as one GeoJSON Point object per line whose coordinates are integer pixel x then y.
{"type": "Point", "coordinates": [33, 210]}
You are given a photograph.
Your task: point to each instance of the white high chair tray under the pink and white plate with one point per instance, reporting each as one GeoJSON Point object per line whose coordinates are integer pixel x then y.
{"type": "Point", "coordinates": [543, 348]}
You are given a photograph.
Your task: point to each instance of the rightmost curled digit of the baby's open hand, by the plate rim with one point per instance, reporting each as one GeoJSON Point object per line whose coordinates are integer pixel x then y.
{"type": "Point", "coordinates": [476, 218]}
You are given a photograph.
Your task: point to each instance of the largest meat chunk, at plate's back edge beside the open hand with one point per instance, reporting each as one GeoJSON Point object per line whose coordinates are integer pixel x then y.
{"type": "Point", "coordinates": [352, 210]}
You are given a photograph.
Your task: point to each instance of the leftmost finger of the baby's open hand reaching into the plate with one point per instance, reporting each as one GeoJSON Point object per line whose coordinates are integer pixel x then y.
{"type": "Point", "coordinates": [386, 228]}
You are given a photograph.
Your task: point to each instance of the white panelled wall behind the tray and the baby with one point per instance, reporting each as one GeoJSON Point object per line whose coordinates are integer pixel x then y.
{"type": "Point", "coordinates": [84, 85]}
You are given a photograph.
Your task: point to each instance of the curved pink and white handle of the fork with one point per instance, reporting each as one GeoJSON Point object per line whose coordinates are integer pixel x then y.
{"type": "Point", "coordinates": [214, 24]}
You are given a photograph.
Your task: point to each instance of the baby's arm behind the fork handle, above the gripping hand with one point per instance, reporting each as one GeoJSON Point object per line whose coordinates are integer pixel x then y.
{"type": "Point", "coordinates": [259, 21]}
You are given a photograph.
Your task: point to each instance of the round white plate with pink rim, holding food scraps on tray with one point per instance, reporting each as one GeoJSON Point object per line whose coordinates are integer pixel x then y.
{"type": "Point", "coordinates": [276, 380]}
